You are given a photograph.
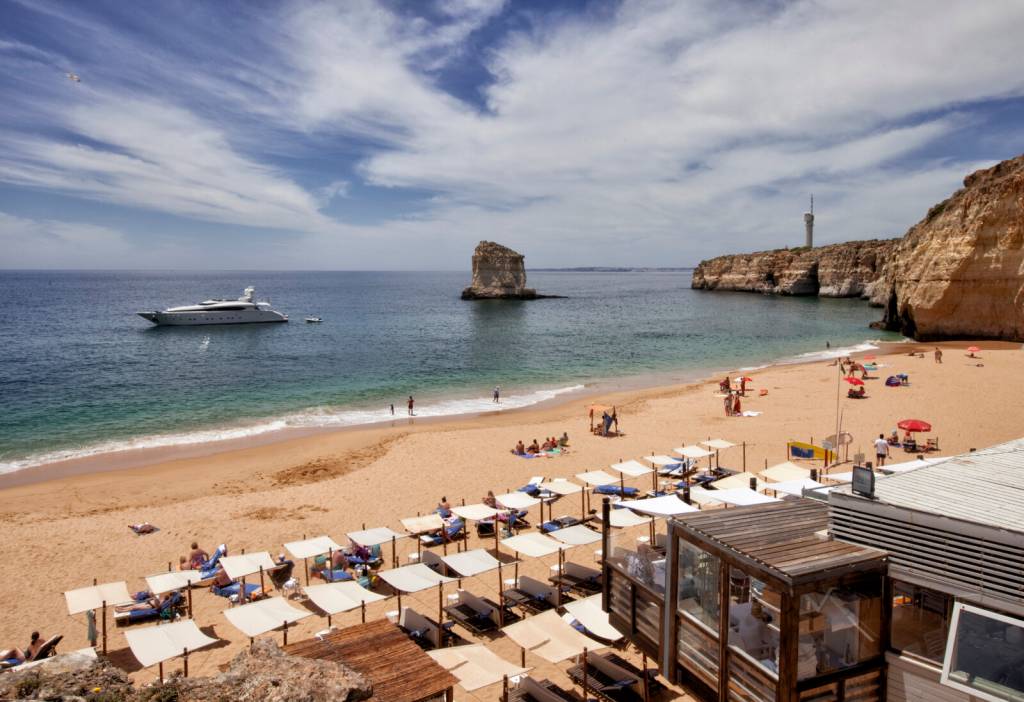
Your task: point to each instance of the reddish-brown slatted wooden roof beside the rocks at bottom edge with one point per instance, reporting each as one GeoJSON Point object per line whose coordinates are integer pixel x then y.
{"type": "Point", "coordinates": [400, 671]}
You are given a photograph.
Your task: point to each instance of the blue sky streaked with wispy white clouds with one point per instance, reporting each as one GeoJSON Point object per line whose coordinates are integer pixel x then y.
{"type": "Point", "coordinates": [396, 136]}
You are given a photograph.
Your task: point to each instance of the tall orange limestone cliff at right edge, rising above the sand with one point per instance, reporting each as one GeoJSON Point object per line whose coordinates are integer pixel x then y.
{"type": "Point", "coordinates": [960, 272]}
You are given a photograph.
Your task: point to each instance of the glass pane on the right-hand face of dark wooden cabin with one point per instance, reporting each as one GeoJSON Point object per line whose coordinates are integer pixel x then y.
{"type": "Point", "coordinates": [840, 627]}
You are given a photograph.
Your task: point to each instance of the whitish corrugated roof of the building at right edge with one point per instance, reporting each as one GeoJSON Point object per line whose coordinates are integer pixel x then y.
{"type": "Point", "coordinates": [984, 488]}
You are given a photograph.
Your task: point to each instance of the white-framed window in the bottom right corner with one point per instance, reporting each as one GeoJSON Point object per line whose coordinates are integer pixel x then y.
{"type": "Point", "coordinates": [987, 655]}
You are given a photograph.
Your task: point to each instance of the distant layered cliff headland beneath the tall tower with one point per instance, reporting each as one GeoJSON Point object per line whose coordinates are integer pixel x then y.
{"type": "Point", "coordinates": [840, 271]}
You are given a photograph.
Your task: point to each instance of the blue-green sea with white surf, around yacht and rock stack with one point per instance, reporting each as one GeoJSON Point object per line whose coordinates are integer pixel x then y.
{"type": "Point", "coordinates": [82, 375]}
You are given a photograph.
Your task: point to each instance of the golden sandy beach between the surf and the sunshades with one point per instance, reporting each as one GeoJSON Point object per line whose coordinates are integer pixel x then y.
{"type": "Point", "coordinates": [62, 534]}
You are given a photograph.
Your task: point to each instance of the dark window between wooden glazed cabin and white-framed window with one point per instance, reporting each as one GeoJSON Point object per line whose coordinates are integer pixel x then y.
{"type": "Point", "coordinates": [921, 621]}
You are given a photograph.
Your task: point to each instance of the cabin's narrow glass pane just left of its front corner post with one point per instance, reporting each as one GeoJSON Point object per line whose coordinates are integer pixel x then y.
{"type": "Point", "coordinates": [754, 619]}
